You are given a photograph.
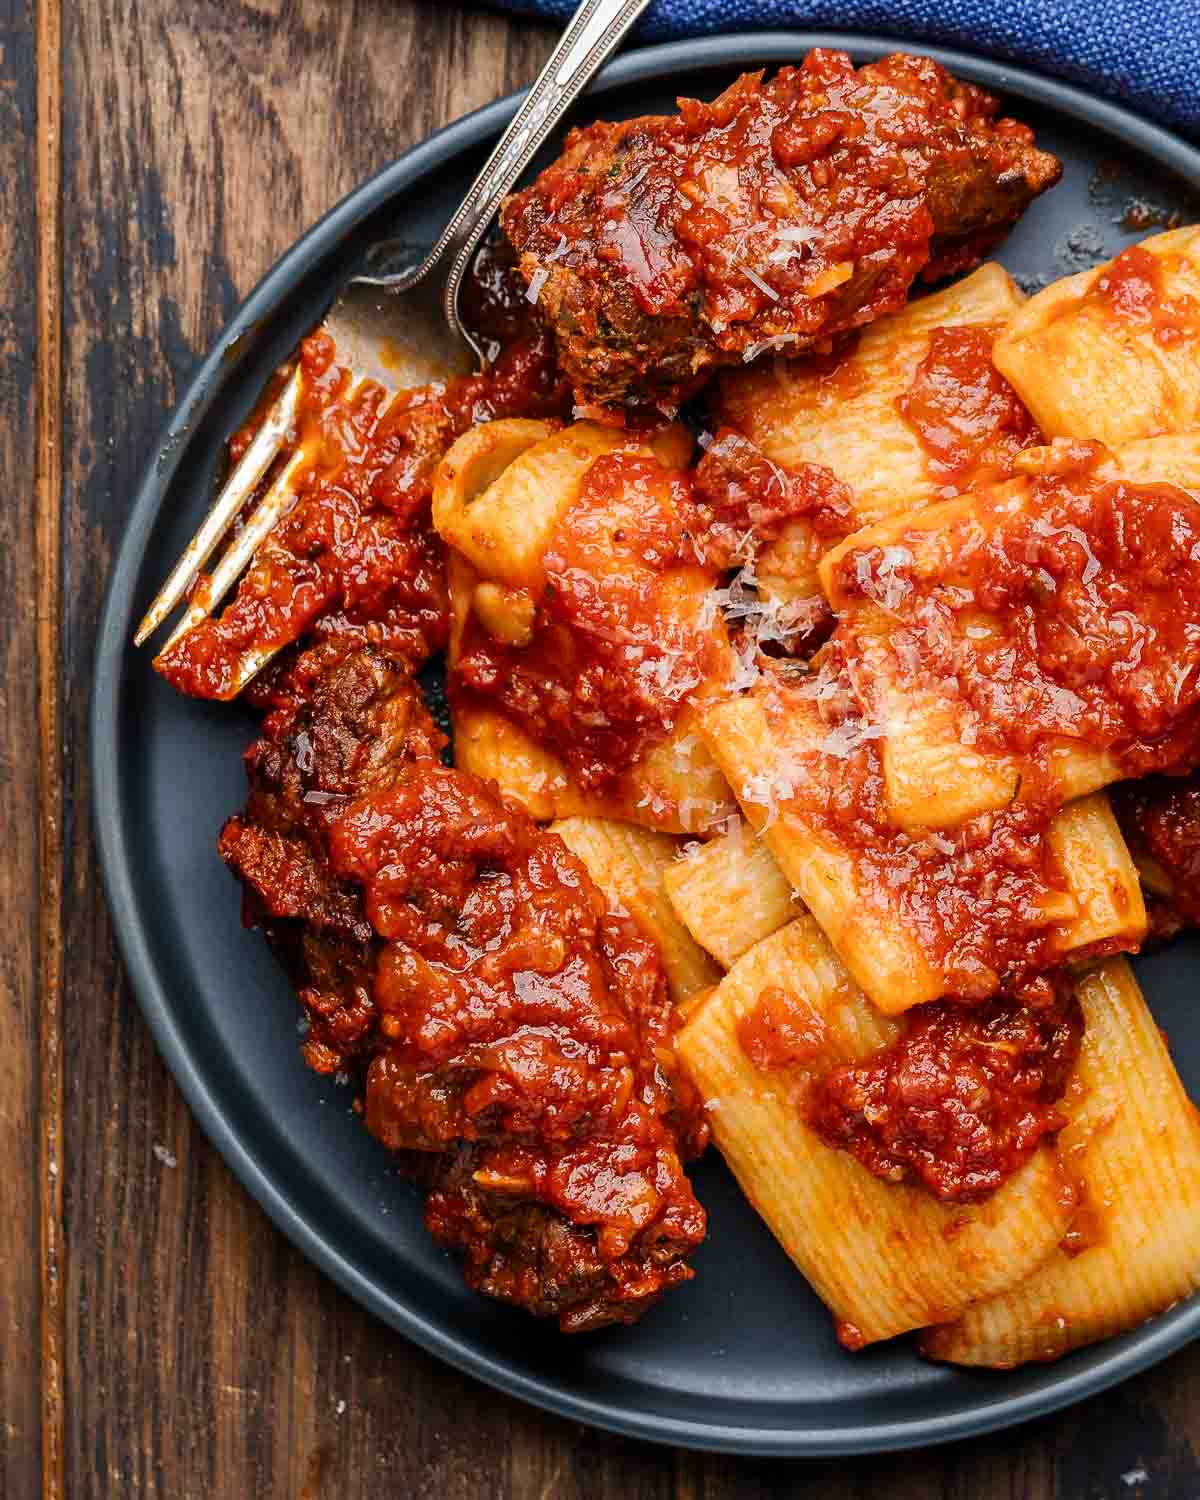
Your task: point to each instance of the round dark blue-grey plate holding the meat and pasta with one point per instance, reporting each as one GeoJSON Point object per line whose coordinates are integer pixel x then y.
{"type": "Point", "coordinates": [743, 1358]}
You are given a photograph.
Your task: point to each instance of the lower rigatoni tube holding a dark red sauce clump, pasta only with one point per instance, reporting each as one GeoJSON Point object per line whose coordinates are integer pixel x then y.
{"type": "Point", "coordinates": [884, 1258]}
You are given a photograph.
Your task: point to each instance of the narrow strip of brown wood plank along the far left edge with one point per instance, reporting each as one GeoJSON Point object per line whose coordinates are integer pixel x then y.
{"type": "Point", "coordinates": [20, 896]}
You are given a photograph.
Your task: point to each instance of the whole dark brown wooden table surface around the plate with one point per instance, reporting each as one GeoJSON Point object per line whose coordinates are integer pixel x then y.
{"type": "Point", "coordinates": [158, 1337]}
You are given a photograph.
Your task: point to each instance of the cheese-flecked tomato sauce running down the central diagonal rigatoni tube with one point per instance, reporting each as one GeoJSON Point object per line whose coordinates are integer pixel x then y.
{"type": "Point", "coordinates": [976, 899]}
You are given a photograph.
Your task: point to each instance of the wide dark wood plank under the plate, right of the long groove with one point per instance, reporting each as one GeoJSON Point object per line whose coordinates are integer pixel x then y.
{"type": "Point", "coordinates": [203, 1357]}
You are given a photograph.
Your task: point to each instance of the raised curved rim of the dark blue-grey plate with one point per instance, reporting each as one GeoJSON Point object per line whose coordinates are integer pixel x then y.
{"type": "Point", "coordinates": [115, 661]}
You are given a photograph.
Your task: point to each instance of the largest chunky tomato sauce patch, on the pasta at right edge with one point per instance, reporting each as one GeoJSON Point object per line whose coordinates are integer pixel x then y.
{"type": "Point", "coordinates": [1070, 610]}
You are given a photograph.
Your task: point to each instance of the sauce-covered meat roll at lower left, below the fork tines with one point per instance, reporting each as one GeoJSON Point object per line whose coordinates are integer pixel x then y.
{"type": "Point", "coordinates": [515, 1036]}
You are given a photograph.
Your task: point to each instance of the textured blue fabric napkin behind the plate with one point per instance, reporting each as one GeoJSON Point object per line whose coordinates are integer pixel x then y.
{"type": "Point", "coordinates": [1144, 53]}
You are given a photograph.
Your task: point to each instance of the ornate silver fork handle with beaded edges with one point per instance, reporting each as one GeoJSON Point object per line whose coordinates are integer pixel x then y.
{"type": "Point", "coordinates": [593, 35]}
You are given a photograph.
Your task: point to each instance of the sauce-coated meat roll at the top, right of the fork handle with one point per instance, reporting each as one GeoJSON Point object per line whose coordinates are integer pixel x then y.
{"type": "Point", "coordinates": [778, 217]}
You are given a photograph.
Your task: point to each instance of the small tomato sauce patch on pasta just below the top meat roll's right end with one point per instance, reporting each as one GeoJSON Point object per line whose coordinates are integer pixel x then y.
{"type": "Point", "coordinates": [967, 416]}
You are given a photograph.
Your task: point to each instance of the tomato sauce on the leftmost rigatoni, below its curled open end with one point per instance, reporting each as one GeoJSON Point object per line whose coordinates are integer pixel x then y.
{"type": "Point", "coordinates": [616, 649]}
